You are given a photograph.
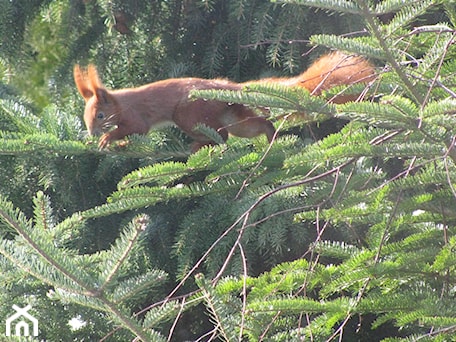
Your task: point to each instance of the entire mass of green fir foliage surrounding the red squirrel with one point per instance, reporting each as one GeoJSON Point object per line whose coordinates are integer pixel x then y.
{"type": "Point", "coordinates": [349, 237]}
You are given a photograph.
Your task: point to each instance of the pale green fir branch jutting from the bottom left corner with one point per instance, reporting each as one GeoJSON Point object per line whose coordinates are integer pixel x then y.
{"type": "Point", "coordinates": [95, 281]}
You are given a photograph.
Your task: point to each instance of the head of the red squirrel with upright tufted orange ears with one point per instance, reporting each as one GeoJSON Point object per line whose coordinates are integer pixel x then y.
{"type": "Point", "coordinates": [101, 107]}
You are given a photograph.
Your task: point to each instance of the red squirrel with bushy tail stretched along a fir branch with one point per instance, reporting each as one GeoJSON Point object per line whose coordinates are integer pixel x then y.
{"type": "Point", "coordinates": [137, 110]}
